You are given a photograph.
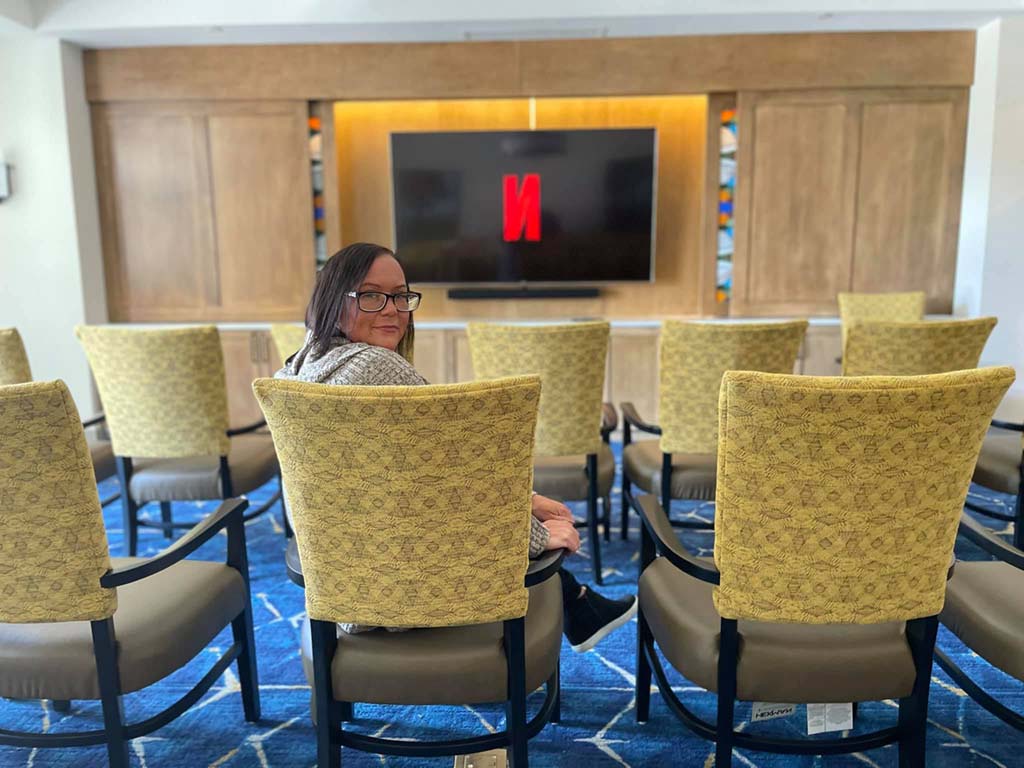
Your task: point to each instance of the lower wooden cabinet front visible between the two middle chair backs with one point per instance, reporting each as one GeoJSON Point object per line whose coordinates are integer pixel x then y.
{"type": "Point", "coordinates": [634, 369]}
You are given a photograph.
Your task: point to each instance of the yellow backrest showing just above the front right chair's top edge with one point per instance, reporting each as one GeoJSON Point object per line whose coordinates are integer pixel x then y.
{"type": "Point", "coordinates": [915, 349]}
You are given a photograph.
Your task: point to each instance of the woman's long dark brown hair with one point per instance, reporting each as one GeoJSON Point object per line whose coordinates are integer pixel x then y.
{"type": "Point", "coordinates": [345, 273]}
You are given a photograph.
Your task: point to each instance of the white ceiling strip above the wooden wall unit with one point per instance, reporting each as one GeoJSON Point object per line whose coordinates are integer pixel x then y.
{"type": "Point", "coordinates": [104, 24]}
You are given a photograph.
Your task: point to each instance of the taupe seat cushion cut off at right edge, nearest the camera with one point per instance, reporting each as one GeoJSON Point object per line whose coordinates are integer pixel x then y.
{"type": "Point", "coordinates": [985, 610]}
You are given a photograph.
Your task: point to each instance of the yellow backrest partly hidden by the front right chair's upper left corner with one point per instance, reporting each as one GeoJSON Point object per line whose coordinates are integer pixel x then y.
{"type": "Point", "coordinates": [694, 357]}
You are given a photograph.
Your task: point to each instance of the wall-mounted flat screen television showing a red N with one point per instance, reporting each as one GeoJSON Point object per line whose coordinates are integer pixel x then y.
{"type": "Point", "coordinates": [538, 207]}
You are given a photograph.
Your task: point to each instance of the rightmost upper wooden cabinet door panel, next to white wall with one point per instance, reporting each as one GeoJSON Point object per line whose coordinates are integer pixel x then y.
{"type": "Point", "coordinates": [909, 200]}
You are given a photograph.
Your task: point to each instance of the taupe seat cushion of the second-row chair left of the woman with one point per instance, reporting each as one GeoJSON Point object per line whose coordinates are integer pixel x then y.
{"type": "Point", "coordinates": [252, 461]}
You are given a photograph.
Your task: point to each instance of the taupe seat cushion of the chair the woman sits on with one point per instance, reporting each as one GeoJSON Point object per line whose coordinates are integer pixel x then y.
{"type": "Point", "coordinates": [446, 666]}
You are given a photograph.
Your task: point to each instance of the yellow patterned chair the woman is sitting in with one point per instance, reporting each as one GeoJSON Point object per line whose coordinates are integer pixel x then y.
{"type": "Point", "coordinates": [412, 509]}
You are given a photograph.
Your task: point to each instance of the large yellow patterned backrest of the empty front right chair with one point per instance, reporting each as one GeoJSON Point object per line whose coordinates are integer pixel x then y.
{"type": "Point", "coordinates": [839, 499]}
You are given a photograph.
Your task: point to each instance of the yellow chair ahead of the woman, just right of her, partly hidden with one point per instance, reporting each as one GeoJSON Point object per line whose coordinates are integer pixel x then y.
{"type": "Point", "coordinates": [573, 460]}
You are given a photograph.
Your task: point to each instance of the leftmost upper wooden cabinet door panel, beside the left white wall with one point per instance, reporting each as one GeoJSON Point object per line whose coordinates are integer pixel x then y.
{"type": "Point", "coordinates": [153, 185]}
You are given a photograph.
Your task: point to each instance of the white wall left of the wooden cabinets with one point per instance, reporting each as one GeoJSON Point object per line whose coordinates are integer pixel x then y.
{"type": "Point", "coordinates": [51, 259]}
